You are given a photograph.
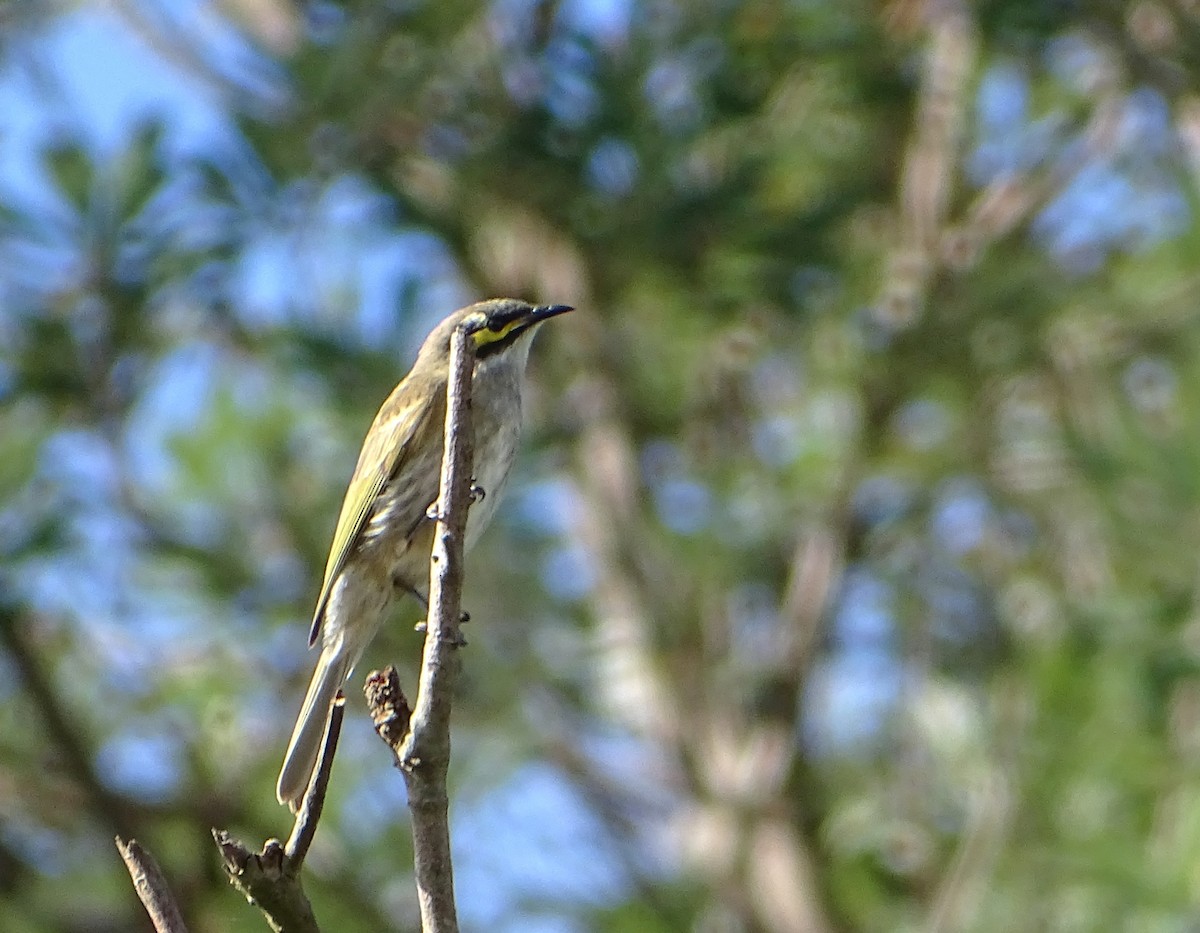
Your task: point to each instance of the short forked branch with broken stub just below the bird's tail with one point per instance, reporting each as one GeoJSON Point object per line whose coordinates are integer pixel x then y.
{"type": "Point", "coordinates": [271, 880]}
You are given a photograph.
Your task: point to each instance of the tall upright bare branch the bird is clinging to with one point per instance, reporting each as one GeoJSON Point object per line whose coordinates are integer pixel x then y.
{"type": "Point", "coordinates": [423, 750]}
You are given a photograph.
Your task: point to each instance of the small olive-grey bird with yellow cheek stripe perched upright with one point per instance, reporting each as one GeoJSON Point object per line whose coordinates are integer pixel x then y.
{"type": "Point", "coordinates": [385, 533]}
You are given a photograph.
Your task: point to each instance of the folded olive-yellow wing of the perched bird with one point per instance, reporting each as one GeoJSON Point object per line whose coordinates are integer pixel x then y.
{"type": "Point", "coordinates": [382, 458]}
